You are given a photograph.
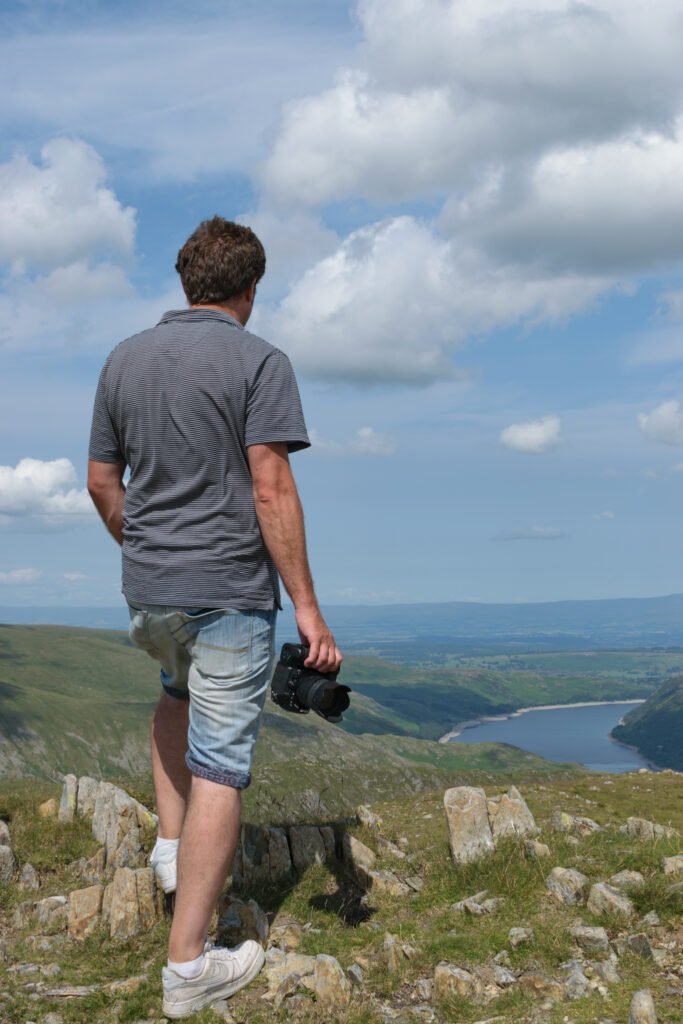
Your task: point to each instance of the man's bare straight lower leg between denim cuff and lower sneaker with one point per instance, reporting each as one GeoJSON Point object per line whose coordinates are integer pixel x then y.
{"type": "Point", "coordinates": [207, 847]}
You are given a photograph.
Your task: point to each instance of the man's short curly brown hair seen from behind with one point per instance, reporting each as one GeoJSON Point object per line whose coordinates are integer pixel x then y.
{"type": "Point", "coordinates": [220, 262]}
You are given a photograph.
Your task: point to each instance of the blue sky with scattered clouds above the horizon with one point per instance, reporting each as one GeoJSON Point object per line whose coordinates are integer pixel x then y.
{"type": "Point", "coordinates": [474, 218]}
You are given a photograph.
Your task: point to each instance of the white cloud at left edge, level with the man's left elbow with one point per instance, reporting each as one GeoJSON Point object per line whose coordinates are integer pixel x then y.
{"type": "Point", "coordinates": [44, 491]}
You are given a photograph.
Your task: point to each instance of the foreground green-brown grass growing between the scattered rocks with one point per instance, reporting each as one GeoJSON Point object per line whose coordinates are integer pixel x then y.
{"type": "Point", "coordinates": [323, 899]}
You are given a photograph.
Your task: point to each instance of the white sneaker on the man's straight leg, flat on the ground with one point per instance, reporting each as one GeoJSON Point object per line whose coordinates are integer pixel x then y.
{"type": "Point", "coordinates": [224, 974]}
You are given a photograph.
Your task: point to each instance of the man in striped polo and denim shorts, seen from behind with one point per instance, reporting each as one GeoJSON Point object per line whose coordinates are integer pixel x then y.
{"type": "Point", "coordinates": [205, 415]}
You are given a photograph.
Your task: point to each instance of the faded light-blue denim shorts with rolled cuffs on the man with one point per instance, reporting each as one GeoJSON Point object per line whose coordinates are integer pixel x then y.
{"type": "Point", "coordinates": [222, 662]}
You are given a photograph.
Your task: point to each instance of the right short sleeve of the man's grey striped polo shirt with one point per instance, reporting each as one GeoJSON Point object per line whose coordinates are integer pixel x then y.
{"type": "Point", "coordinates": [274, 406]}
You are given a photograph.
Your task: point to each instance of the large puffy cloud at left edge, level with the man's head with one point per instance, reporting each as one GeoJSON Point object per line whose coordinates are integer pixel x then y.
{"type": "Point", "coordinates": [61, 212]}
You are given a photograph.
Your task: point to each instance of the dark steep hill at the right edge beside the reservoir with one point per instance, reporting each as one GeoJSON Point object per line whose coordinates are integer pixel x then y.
{"type": "Point", "coordinates": [657, 727]}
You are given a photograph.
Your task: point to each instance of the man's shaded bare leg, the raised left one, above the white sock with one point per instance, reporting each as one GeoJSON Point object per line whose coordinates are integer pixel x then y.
{"type": "Point", "coordinates": [172, 777]}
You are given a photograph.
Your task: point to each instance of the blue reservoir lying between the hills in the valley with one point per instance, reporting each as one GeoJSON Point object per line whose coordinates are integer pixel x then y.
{"type": "Point", "coordinates": [567, 734]}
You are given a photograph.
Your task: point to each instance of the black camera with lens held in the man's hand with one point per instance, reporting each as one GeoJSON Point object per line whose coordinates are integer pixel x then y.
{"type": "Point", "coordinates": [300, 690]}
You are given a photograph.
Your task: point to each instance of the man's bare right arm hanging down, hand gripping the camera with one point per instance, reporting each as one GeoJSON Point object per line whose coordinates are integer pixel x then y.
{"type": "Point", "coordinates": [281, 519]}
